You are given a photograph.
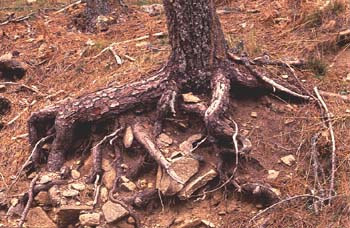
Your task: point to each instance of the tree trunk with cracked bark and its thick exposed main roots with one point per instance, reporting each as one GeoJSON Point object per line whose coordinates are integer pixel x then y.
{"type": "Point", "coordinates": [198, 63]}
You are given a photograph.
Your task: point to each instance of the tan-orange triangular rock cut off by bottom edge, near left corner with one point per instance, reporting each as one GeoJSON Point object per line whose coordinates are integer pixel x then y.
{"type": "Point", "coordinates": [37, 218]}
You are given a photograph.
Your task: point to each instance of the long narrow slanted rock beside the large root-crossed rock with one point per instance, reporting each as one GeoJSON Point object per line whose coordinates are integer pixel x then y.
{"type": "Point", "coordinates": [197, 183]}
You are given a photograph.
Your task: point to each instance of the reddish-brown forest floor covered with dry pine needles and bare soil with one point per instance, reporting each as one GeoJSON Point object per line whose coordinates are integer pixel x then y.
{"type": "Point", "coordinates": [62, 63]}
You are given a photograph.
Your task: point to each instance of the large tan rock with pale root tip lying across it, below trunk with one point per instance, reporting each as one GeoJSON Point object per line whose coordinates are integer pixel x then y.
{"type": "Point", "coordinates": [184, 167]}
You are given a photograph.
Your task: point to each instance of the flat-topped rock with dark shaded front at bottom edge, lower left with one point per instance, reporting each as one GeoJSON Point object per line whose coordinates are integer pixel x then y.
{"type": "Point", "coordinates": [69, 215]}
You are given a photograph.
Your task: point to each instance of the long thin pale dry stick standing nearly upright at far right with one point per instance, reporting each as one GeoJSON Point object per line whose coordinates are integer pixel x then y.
{"type": "Point", "coordinates": [328, 121]}
